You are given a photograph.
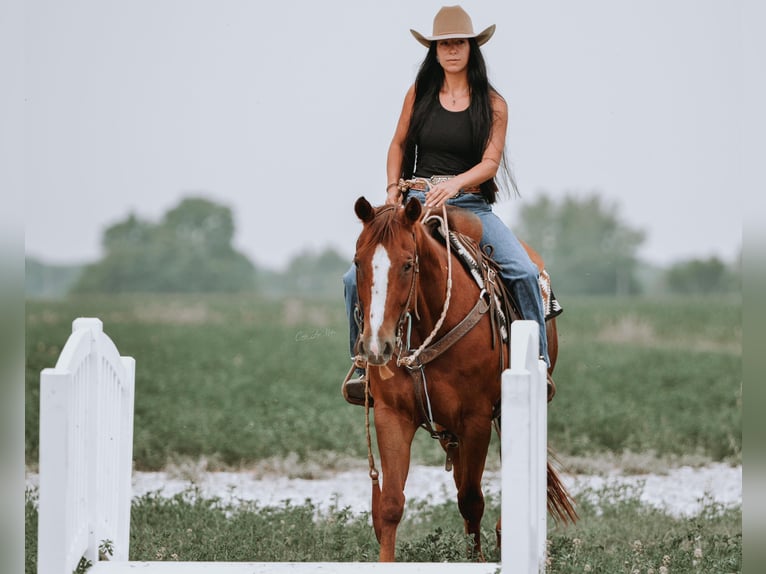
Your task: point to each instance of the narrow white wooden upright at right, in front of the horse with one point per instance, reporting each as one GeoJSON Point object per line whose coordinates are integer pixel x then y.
{"type": "Point", "coordinates": [524, 454]}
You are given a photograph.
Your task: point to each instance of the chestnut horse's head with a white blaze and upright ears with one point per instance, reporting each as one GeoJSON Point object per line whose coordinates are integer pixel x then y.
{"type": "Point", "coordinates": [386, 271]}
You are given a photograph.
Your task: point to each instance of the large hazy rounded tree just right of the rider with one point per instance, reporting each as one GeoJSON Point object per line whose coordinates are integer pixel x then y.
{"type": "Point", "coordinates": [587, 249]}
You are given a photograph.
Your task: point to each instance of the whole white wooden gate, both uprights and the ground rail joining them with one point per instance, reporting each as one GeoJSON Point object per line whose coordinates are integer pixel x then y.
{"type": "Point", "coordinates": [86, 449]}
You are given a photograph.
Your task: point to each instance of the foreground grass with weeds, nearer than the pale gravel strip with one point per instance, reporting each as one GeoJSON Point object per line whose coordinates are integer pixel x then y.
{"type": "Point", "coordinates": [615, 534]}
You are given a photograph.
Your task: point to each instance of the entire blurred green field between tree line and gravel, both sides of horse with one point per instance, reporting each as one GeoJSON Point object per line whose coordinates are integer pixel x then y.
{"type": "Point", "coordinates": [235, 380]}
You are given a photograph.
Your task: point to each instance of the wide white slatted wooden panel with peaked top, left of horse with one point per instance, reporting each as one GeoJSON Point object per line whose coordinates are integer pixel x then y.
{"type": "Point", "coordinates": [86, 447]}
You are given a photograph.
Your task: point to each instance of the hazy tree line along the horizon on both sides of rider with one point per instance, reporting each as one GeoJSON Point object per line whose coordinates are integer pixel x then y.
{"type": "Point", "coordinates": [588, 250]}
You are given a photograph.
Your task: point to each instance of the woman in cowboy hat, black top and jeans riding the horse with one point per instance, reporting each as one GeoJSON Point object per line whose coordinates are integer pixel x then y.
{"type": "Point", "coordinates": [451, 138]}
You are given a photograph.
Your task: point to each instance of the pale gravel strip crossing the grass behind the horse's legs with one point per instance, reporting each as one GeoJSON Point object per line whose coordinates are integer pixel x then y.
{"type": "Point", "coordinates": [681, 491]}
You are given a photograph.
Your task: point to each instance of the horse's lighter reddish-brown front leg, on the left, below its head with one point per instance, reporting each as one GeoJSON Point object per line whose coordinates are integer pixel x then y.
{"type": "Point", "coordinates": [394, 433]}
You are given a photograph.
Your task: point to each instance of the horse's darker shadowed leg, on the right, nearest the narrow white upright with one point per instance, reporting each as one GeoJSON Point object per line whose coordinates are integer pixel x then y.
{"type": "Point", "coordinates": [469, 469]}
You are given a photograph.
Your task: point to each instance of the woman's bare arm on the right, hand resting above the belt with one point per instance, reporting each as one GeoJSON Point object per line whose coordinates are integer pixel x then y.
{"type": "Point", "coordinates": [486, 168]}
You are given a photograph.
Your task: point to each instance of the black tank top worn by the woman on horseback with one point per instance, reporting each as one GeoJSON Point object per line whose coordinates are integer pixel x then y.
{"type": "Point", "coordinates": [445, 144]}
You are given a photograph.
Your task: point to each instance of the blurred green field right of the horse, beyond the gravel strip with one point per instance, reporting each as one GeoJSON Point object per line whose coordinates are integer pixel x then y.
{"type": "Point", "coordinates": [663, 376]}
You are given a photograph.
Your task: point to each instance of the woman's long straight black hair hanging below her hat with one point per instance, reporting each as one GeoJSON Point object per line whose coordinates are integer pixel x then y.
{"type": "Point", "coordinates": [428, 83]}
